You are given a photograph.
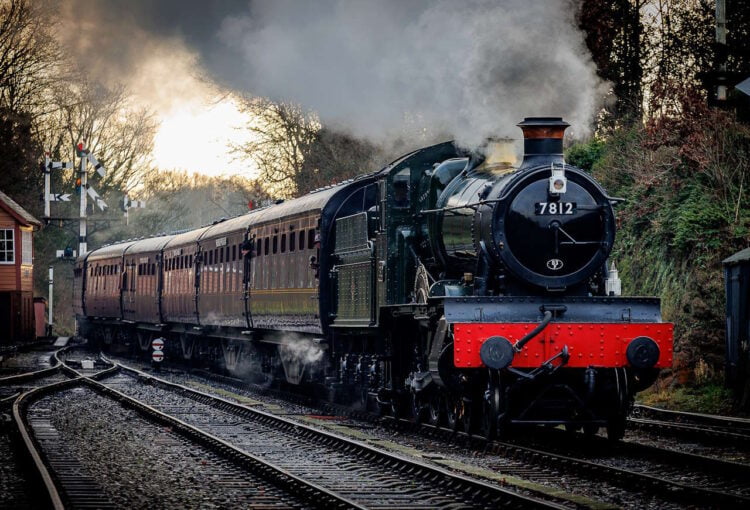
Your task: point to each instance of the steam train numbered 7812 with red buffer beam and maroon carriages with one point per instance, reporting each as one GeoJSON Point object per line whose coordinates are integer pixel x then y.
{"type": "Point", "coordinates": [451, 287]}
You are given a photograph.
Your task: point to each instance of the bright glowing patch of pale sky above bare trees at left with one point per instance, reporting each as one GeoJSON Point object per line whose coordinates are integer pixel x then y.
{"type": "Point", "coordinates": [195, 136]}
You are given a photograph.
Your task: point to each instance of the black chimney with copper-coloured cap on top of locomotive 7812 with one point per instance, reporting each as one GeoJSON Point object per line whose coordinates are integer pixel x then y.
{"type": "Point", "coordinates": [542, 140]}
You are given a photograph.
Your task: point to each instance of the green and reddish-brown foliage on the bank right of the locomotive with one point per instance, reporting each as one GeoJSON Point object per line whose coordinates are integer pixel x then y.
{"type": "Point", "coordinates": [684, 177]}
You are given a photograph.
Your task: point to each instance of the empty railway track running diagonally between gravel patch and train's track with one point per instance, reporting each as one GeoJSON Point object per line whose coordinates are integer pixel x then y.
{"type": "Point", "coordinates": [366, 476]}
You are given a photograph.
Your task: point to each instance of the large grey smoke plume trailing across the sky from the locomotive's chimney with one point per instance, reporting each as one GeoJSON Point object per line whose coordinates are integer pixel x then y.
{"type": "Point", "coordinates": [382, 69]}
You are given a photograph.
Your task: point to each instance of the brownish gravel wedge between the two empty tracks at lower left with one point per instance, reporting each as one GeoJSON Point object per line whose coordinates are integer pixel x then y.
{"type": "Point", "coordinates": [143, 465]}
